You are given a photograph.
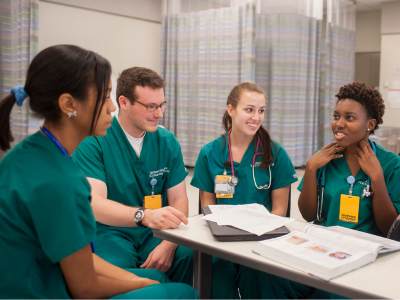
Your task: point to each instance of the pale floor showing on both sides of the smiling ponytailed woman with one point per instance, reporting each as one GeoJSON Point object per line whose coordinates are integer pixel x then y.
{"type": "Point", "coordinates": [193, 194]}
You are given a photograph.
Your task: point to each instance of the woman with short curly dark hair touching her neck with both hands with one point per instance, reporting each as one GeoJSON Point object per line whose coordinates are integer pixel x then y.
{"type": "Point", "coordinates": [353, 182]}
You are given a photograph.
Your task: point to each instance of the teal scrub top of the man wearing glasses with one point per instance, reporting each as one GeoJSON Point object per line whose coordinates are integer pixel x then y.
{"type": "Point", "coordinates": [112, 159]}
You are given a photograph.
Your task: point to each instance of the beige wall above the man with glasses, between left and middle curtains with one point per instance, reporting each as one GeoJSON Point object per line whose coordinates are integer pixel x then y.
{"type": "Point", "coordinates": [125, 41]}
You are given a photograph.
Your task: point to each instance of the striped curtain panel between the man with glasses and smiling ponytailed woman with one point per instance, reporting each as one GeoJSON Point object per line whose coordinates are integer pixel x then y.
{"type": "Point", "coordinates": [206, 53]}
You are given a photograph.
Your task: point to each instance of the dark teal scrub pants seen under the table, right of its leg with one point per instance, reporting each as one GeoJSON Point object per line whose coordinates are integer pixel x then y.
{"type": "Point", "coordinates": [230, 279]}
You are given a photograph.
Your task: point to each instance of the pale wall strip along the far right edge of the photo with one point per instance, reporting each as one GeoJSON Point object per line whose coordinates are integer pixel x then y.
{"type": "Point", "coordinates": [390, 60]}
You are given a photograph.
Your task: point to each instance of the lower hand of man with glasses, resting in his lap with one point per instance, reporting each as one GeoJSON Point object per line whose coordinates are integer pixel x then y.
{"type": "Point", "coordinates": [161, 257]}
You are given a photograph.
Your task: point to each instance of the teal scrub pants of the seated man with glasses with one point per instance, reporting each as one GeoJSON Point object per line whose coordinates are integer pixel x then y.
{"type": "Point", "coordinates": [128, 250]}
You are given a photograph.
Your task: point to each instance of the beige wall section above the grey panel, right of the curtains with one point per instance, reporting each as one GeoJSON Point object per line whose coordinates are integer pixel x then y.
{"type": "Point", "coordinates": [368, 31]}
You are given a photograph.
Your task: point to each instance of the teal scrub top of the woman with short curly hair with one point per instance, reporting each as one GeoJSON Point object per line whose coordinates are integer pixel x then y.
{"type": "Point", "coordinates": [336, 184]}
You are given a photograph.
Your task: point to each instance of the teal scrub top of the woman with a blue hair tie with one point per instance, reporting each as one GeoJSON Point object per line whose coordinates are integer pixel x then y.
{"type": "Point", "coordinates": [45, 215]}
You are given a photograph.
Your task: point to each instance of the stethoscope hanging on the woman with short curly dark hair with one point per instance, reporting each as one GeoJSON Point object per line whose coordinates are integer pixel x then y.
{"type": "Point", "coordinates": [350, 180]}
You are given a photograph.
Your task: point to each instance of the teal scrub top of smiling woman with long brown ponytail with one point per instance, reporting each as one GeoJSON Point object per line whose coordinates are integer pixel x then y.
{"type": "Point", "coordinates": [212, 161]}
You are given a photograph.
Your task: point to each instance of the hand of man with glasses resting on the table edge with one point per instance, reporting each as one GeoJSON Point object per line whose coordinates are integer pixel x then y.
{"type": "Point", "coordinates": [163, 218]}
